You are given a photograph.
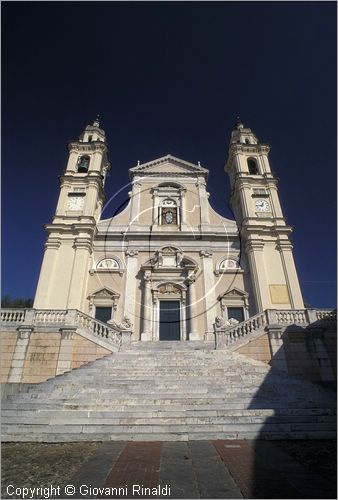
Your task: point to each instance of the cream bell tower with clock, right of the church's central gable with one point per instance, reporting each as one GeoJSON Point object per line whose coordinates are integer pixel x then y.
{"type": "Point", "coordinates": [263, 229]}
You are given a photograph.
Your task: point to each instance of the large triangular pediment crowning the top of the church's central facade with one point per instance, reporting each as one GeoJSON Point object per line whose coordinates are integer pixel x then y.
{"type": "Point", "coordinates": [168, 165]}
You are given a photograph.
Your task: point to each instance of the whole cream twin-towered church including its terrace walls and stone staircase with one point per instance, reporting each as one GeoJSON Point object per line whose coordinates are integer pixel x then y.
{"type": "Point", "coordinates": [167, 321]}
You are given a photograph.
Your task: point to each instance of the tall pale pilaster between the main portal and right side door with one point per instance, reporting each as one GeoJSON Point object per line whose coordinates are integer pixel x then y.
{"type": "Point", "coordinates": [209, 293]}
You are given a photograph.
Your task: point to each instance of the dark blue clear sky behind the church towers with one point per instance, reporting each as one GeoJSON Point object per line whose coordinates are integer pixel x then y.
{"type": "Point", "coordinates": [170, 77]}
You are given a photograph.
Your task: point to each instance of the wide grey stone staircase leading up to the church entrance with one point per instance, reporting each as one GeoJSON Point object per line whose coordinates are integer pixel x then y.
{"type": "Point", "coordinates": [170, 391]}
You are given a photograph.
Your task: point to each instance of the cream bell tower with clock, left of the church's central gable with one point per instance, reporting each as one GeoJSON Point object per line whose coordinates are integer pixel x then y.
{"type": "Point", "coordinates": [65, 266]}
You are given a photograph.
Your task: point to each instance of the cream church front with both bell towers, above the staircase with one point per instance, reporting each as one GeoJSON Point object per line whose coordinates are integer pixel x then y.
{"type": "Point", "coordinates": [168, 266]}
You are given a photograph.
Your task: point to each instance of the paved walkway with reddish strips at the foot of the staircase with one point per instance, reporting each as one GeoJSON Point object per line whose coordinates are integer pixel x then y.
{"type": "Point", "coordinates": [196, 469]}
